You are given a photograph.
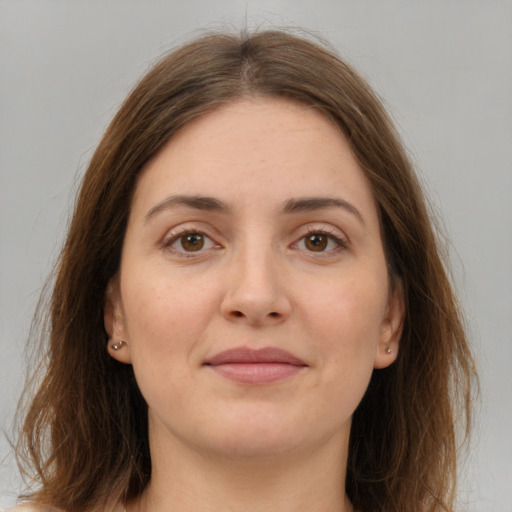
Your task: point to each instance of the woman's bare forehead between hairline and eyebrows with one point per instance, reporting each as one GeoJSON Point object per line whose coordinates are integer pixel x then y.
{"type": "Point", "coordinates": [263, 150]}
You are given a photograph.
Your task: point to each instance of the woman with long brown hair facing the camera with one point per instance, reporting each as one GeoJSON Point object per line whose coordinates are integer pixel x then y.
{"type": "Point", "coordinates": [250, 311]}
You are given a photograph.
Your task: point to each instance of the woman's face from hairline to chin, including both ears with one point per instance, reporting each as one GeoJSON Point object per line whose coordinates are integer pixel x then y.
{"type": "Point", "coordinates": [253, 290]}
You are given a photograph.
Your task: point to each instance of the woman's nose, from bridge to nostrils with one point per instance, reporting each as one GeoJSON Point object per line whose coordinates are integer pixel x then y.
{"type": "Point", "coordinates": [255, 290]}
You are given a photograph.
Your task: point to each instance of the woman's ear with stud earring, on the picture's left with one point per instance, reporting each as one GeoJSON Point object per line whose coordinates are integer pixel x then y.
{"type": "Point", "coordinates": [113, 318]}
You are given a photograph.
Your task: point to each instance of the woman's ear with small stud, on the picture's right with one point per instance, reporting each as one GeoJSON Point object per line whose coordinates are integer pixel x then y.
{"type": "Point", "coordinates": [391, 327]}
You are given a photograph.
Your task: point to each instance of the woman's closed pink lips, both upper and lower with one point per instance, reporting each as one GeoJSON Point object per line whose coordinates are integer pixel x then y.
{"type": "Point", "coordinates": [256, 366]}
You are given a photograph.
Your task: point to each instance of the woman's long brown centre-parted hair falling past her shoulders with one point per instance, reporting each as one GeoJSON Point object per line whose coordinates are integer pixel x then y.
{"type": "Point", "coordinates": [85, 429]}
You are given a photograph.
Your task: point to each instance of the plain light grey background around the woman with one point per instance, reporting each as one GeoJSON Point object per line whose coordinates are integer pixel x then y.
{"type": "Point", "coordinates": [444, 69]}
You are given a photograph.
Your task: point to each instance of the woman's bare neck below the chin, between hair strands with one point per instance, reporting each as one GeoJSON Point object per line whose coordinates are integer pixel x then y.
{"type": "Point", "coordinates": [187, 481]}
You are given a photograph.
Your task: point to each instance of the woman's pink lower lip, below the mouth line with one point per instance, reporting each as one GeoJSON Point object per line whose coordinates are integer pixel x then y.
{"type": "Point", "coordinates": [257, 373]}
